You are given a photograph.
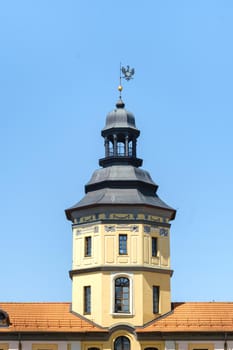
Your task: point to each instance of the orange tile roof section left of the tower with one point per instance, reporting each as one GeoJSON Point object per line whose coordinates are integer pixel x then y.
{"type": "Point", "coordinates": [44, 317]}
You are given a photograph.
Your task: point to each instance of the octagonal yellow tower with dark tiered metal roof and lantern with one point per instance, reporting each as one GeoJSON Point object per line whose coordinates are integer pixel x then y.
{"type": "Point", "coordinates": [121, 254]}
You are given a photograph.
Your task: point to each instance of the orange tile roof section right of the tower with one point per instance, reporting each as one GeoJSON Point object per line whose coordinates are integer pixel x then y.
{"type": "Point", "coordinates": [195, 316]}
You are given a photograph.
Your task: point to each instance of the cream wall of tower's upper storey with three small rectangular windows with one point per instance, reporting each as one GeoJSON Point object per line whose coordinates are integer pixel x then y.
{"type": "Point", "coordinates": [105, 250]}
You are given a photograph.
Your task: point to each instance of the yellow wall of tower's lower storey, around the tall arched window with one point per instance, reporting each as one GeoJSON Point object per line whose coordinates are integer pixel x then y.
{"type": "Point", "coordinates": [102, 297]}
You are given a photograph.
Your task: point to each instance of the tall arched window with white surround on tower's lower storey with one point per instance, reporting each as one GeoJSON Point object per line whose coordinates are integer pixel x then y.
{"type": "Point", "coordinates": [122, 295]}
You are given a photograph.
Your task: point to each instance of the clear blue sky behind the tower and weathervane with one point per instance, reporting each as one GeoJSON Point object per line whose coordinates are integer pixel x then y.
{"type": "Point", "coordinates": [59, 63]}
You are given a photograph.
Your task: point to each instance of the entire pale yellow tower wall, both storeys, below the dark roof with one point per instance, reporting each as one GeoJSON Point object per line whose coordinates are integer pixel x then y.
{"type": "Point", "coordinates": [105, 264]}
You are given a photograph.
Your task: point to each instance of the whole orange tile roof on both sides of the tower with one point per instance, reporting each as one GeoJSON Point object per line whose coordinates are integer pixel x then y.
{"type": "Point", "coordinates": [56, 317]}
